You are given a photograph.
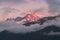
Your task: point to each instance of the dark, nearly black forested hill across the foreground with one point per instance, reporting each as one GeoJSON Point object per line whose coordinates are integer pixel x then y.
{"type": "Point", "coordinates": [38, 35]}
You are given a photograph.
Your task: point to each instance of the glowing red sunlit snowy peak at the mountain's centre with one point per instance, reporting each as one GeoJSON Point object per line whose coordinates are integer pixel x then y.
{"type": "Point", "coordinates": [33, 17]}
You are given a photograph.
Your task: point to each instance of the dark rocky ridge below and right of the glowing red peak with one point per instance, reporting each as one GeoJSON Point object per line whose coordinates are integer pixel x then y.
{"type": "Point", "coordinates": [42, 20]}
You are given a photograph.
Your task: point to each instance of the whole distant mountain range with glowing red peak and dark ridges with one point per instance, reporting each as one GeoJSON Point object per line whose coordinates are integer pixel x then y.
{"type": "Point", "coordinates": [30, 19]}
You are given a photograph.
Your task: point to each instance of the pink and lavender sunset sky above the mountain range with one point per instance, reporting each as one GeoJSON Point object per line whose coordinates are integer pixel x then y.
{"type": "Point", "coordinates": [14, 8]}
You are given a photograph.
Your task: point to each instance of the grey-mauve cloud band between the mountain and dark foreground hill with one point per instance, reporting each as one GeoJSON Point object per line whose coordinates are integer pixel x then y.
{"type": "Point", "coordinates": [19, 28]}
